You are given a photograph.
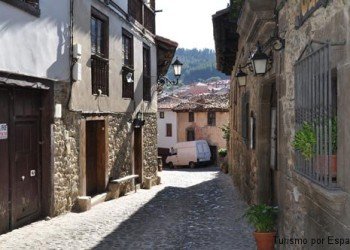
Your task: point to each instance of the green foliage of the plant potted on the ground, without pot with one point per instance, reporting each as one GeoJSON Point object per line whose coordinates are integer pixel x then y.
{"type": "Point", "coordinates": [262, 217]}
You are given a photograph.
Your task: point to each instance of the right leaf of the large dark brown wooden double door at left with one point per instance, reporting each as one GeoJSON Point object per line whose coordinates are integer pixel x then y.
{"type": "Point", "coordinates": [25, 154]}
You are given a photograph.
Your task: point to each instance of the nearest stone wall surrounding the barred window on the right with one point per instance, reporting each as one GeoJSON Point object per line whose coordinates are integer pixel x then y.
{"type": "Point", "coordinates": [307, 209]}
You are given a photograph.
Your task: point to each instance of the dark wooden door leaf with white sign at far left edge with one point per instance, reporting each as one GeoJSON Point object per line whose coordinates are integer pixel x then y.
{"type": "Point", "coordinates": [4, 162]}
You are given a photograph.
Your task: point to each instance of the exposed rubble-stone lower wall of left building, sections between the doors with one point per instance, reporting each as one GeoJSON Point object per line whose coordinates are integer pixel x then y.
{"type": "Point", "coordinates": [66, 133]}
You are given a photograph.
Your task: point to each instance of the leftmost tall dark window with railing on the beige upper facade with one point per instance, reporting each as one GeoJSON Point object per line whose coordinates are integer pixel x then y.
{"type": "Point", "coordinates": [99, 60]}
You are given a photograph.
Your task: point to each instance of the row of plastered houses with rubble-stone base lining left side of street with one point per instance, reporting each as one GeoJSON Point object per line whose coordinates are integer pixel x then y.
{"type": "Point", "coordinates": [78, 94]}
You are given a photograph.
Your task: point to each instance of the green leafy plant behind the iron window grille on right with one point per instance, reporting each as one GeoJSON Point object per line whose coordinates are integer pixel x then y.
{"type": "Point", "coordinates": [305, 140]}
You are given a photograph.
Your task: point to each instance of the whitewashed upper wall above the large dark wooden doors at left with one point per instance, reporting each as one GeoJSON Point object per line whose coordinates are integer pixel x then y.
{"type": "Point", "coordinates": [36, 46]}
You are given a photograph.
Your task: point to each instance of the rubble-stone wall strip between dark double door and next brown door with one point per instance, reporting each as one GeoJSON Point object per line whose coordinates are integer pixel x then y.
{"type": "Point", "coordinates": [66, 154]}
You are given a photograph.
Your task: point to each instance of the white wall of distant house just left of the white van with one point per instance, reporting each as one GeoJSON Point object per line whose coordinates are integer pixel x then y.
{"type": "Point", "coordinates": [163, 140]}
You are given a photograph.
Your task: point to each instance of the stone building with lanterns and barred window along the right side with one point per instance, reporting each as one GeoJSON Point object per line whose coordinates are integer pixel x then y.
{"type": "Point", "coordinates": [305, 84]}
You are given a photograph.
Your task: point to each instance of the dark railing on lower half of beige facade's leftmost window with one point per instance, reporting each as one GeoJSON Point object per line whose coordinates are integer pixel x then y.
{"type": "Point", "coordinates": [99, 75]}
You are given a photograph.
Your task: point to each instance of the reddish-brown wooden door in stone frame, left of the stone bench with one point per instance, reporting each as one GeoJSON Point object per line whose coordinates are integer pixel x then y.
{"type": "Point", "coordinates": [95, 157]}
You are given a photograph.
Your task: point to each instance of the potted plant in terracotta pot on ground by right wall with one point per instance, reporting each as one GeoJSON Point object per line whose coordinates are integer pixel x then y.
{"type": "Point", "coordinates": [263, 218]}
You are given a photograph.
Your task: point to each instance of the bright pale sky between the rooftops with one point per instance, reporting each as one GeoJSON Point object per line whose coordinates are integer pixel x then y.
{"type": "Point", "coordinates": [188, 22]}
